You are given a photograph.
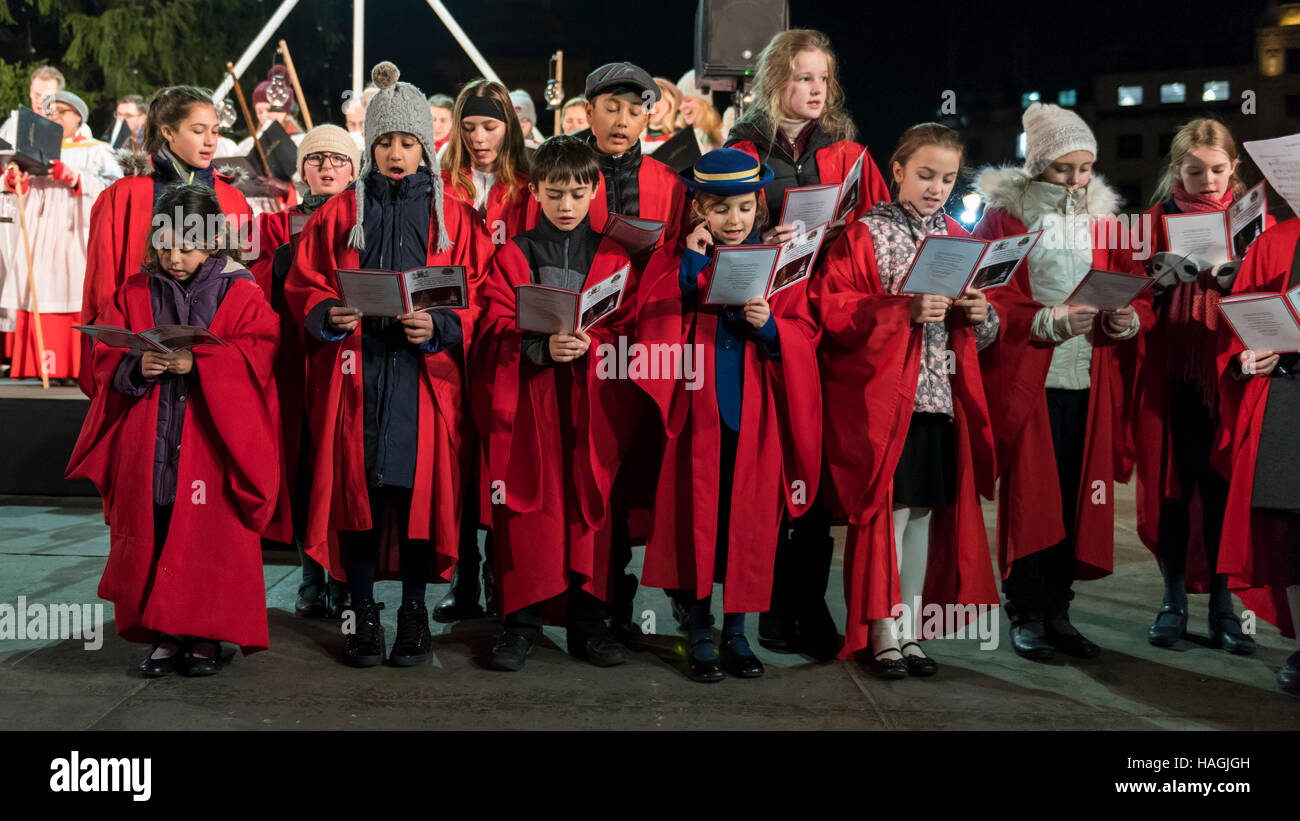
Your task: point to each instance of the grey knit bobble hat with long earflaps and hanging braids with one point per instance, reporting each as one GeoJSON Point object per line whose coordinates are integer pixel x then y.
{"type": "Point", "coordinates": [397, 107]}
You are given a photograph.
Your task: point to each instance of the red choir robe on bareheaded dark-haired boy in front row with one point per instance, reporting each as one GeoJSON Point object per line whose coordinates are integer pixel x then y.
{"type": "Point", "coordinates": [553, 514]}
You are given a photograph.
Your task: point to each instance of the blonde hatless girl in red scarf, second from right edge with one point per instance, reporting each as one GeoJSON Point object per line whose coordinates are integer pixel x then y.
{"type": "Point", "coordinates": [1177, 402]}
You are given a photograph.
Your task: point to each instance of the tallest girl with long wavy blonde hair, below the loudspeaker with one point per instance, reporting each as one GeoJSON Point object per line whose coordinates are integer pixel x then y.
{"type": "Point", "coordinates": [800, 127]}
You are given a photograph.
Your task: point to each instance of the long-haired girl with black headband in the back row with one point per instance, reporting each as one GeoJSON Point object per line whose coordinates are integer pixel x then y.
{"type": "Point", "coordinates": [486, 164]}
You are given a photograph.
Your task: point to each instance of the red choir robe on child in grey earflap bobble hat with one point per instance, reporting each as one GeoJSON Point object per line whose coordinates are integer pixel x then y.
{"type": "Point", "coordinates": [340, 498]}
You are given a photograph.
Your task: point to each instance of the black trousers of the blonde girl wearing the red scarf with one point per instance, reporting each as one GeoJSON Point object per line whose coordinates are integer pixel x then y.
{"type": "Point", "coordinates": [1191, 427]}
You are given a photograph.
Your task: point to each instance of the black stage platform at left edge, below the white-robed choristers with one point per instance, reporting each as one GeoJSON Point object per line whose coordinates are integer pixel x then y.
{"type": "Point", "coordinates": [38, 431]}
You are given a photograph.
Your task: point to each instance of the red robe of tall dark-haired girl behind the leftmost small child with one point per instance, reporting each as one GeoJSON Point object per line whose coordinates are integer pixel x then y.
{"type": "Point", "coordinates": [120, 228]}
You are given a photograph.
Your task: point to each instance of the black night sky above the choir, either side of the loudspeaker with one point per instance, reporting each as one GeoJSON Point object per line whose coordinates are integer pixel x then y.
{"type": "Point", "coordinates": [896, 58]}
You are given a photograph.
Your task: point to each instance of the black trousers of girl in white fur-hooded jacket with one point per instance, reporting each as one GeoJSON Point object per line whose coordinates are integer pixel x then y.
{"type": "Point", "coordinates": [1039, 585]}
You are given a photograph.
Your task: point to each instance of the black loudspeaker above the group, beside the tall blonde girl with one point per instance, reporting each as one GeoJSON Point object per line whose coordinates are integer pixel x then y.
{"type": "Point", "coordinates": [730, 34]}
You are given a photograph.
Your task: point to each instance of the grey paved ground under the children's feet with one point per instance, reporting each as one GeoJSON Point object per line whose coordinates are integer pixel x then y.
{"type": "Point", "coordinates": [54, 551]}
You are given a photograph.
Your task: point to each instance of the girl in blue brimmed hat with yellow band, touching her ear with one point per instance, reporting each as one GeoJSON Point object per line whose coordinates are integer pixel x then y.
{"type": "Point", "coordinates": [747, 446]}
